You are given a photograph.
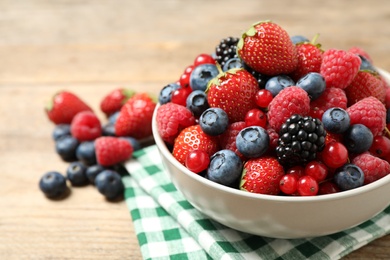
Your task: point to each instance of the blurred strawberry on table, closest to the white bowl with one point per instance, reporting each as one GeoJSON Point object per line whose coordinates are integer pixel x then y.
{"type": "Point", "coordinates": [135, 117]}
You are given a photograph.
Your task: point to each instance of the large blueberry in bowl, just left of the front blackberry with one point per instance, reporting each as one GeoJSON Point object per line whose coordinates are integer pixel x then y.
{"type": "Point", "coordinates": [252, 141]}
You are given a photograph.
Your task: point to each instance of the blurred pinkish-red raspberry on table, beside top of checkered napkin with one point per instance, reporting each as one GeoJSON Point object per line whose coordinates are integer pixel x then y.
{"type": "Point", "coordinates": [112, 150]}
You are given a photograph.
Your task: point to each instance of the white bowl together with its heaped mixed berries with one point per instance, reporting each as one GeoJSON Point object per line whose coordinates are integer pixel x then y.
{"type": "Point", "coordinates": [272, 135]}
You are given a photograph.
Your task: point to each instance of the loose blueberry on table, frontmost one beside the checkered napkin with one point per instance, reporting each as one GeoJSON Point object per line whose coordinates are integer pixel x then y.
{"type": "Point", "coordinates": [109, 183]}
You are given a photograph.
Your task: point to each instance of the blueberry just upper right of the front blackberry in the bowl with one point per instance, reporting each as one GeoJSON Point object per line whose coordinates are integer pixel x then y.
{"type": "Point", "coordinates": [336, 120]}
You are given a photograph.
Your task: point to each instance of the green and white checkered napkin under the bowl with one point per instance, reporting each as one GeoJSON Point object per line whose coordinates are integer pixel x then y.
{"type": "Point", "coordinates": [168, 227]}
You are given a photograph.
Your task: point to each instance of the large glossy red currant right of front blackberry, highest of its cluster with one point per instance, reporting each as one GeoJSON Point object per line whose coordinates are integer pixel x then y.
{"type": "Point", "coordinates": [334, 155]}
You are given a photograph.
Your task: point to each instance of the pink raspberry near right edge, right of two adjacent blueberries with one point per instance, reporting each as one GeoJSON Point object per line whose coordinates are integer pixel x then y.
{"type": "Point", "coordinates": [369, 112]}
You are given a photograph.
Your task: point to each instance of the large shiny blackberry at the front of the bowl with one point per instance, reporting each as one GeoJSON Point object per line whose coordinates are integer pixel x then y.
{"type": "Point", "coordinates": [300, 138]}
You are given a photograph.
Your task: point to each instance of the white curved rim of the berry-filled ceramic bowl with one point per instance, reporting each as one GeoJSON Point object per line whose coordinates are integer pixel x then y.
{"type": "Point", "coordinates": [277, 198]}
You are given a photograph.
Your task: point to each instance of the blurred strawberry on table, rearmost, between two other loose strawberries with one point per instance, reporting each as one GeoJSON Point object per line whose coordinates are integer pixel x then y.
{"type": "Point", "coordinates": [114, 100]}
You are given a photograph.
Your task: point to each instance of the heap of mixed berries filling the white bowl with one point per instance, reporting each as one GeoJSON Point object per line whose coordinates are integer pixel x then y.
{"type": "Point", "coordinates": [273, 114]}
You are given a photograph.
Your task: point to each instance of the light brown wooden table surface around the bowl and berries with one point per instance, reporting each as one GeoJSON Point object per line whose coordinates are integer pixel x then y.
{"type": "Point", "coordinates": [91, 47]}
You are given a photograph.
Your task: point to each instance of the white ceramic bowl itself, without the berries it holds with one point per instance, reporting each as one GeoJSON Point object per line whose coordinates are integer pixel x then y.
{"type": "Point", "coordinates": [277, 216]}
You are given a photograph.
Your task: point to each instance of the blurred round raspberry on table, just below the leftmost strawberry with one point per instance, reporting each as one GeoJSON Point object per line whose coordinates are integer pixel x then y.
{"type": "Point", "coordinates": [86, 126]}
